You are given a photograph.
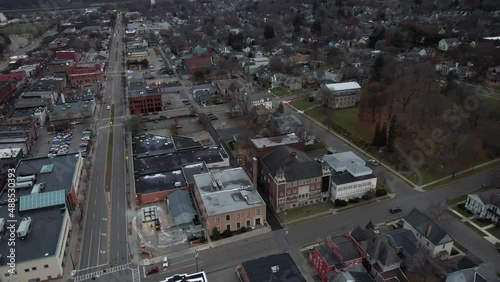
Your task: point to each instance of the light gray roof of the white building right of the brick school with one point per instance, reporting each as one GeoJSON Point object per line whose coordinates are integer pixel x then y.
{"type": "Point", "coordinates": [348, 161]}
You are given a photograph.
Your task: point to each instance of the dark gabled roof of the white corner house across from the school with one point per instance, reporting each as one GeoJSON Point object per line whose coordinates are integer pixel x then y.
{"type": "Point", "coordinates": [427, 227]}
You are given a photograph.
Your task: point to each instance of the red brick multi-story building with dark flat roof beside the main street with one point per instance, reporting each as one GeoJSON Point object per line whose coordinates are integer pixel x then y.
{"type": "Point", "coordinates": [147, 100]}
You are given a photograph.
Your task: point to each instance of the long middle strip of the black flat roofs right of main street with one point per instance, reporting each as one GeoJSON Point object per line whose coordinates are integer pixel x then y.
{"type": "Point", "coordinates": [175, 161]}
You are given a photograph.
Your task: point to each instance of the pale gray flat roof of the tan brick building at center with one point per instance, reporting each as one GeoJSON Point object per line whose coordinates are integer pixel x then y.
{"type": "Point", "coordinates": [227, 191]}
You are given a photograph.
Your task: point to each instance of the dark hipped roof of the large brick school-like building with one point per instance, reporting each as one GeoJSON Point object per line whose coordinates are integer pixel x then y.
{"type": "Point", "coordinates": [296, 165]}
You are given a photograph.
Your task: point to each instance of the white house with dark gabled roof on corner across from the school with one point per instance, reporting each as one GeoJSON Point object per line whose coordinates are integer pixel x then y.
{"type": "Point", "coordinates": [429, 234]}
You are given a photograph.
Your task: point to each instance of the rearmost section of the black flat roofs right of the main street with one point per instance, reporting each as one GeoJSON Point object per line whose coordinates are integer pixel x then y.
{"type": "Point", "coordinates": [151, 145]}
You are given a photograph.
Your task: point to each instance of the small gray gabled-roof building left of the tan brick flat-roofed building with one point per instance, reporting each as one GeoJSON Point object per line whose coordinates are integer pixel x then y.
{"type": "Point", "coordinates": [181, 207]}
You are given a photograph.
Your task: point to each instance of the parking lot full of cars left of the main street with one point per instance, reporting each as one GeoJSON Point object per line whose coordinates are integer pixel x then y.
{"type": "Point", "coordinates": [54, 143]}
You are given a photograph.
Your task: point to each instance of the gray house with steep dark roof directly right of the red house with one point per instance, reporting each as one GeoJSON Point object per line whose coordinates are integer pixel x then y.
{"type": "Point", "coordinates": [382, 261]}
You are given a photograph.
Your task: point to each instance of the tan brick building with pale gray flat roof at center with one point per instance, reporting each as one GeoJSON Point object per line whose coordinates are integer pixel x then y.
{"type": "Point", "coordinates": [227, 200]}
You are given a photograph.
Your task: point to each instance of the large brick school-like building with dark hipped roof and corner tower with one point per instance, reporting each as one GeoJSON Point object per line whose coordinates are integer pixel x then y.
{"type": "Point", "coordinates": [293, 179]}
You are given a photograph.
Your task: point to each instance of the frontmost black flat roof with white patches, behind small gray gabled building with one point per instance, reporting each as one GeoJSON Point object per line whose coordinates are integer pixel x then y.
{"type": "Point", "coordinates": [157, 182]}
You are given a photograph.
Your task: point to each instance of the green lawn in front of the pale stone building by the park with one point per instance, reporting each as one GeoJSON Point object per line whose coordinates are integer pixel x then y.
{"type": "Point", "coordinates": [345, 118]}
